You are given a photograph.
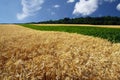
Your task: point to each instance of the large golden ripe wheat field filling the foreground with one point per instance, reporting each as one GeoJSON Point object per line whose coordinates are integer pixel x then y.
{"type": "Point", "coordinates": [27, 54]}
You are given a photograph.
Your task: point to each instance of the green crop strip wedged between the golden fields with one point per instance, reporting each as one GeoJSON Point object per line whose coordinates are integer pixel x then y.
{"type": "Point", "coordinates": [112, 34]}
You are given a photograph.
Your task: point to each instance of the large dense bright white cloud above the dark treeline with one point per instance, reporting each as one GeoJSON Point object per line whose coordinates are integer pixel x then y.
{"type": "Point", "coordinates": [85, 7]}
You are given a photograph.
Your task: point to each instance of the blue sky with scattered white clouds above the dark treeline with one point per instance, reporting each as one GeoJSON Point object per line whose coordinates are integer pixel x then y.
{"type": "Point", "coordinates": [17, 11]}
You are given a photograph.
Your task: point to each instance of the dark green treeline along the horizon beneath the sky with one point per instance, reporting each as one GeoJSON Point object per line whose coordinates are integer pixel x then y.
{"type": "Point", "coordinates": [106, 20]}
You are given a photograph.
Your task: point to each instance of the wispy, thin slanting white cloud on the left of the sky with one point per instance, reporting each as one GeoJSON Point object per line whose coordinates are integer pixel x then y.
{"type": "Point", "coordinates": [30, 7]}
